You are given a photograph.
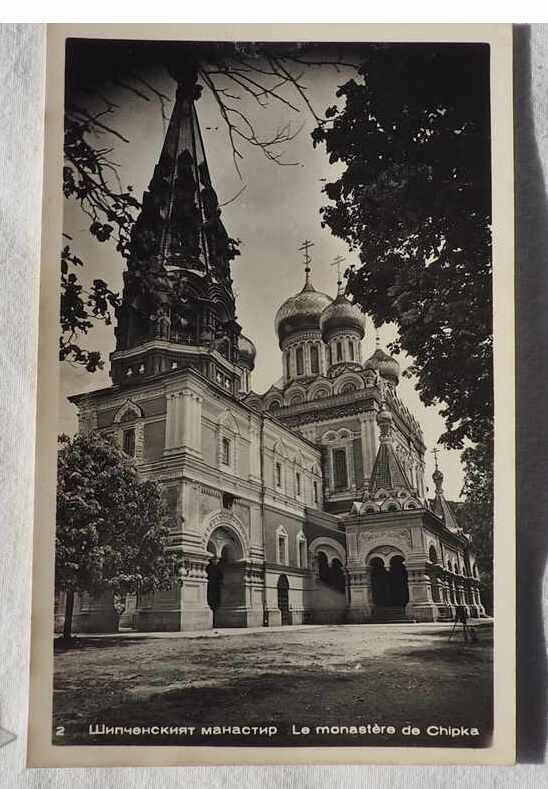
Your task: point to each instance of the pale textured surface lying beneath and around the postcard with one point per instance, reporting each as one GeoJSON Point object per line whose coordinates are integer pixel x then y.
{"type": "Point", "coordinates": [21, 130]}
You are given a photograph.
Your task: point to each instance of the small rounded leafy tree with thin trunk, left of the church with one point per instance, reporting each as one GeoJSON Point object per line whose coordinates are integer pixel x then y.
{"type": "Point", "coordinates": [112, 528]}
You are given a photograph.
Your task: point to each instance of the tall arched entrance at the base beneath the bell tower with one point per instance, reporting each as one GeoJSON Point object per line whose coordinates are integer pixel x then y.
{"type": "Point", "coordinates": [225, 578]}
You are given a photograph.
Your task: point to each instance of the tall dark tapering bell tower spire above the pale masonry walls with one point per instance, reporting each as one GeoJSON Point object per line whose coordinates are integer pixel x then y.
{"type": "Point", "coordinates": [178, 308]}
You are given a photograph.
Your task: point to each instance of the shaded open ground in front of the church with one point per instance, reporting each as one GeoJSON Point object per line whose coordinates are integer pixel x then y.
{"type": "Point", "coordinates": [288, 678]}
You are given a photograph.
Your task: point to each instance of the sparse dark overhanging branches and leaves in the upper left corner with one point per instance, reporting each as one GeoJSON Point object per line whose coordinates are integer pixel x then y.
{"type": "Point", "coordinates": [230, 72]}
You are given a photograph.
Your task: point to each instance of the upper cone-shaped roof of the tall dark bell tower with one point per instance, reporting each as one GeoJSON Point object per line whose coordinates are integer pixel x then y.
{"type": "Point", "coordinates": [180, 223]}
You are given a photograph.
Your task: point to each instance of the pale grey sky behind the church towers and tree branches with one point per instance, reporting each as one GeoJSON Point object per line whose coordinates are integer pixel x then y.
{"type": "Point", "coordinates": [278, 209]}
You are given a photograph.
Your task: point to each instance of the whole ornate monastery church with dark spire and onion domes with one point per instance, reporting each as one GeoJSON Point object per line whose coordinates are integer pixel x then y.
{"type": "Point", "coordinates": [303, 504]}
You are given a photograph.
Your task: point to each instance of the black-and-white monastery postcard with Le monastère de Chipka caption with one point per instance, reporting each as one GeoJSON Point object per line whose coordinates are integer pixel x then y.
{"type": "Point", "coordinates": [274, 413]}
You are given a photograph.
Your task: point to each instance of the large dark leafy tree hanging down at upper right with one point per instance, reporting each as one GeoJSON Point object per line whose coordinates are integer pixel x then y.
{"type": "Point", "coordinates": [415, 201]}
